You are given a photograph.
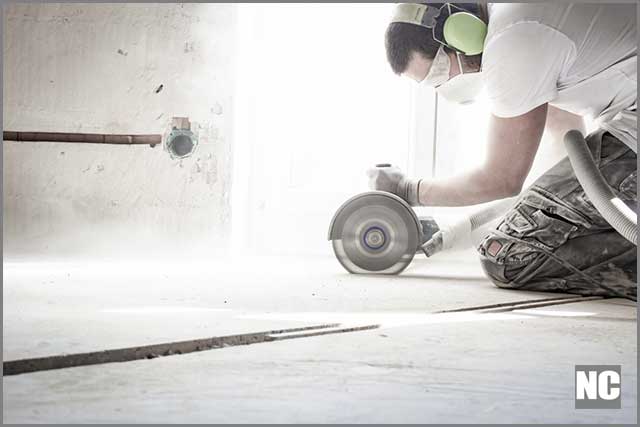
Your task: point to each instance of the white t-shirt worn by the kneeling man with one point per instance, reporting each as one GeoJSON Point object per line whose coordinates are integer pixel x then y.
{"type": "Point", "coordinates": [581, 58]}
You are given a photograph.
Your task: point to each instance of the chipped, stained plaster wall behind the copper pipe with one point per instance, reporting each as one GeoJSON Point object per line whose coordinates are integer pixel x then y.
{"type": "Point", "coordinates": [116, 68]}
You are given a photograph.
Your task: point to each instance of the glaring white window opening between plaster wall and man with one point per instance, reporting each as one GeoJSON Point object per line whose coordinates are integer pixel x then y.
{"type": "Point", "coordinates": [317, 104]}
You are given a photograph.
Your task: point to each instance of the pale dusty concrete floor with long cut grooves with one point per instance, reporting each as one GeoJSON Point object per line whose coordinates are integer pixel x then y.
{"type": "Point", "coordinates": [509, 366]}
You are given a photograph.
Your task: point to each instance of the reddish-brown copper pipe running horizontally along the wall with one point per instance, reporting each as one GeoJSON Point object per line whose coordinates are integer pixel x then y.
{"type": "Point", "coordinates": [90, 138]}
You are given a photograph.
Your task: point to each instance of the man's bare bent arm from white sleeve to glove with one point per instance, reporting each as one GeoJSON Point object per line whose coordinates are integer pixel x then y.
{"type": "Point", "coordinates": [512, 146]}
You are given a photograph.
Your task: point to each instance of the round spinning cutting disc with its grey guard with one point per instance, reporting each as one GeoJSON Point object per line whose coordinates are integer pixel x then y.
{"type": "Point", "coordinates": [375, 232]}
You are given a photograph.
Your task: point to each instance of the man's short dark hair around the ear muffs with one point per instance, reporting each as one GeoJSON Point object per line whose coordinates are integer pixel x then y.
{"type": "Point", "coordinates": [402, 39]}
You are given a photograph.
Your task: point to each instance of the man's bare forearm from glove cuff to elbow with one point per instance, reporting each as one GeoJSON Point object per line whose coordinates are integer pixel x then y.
{"type": "Point", "coordinates": [474, 187]}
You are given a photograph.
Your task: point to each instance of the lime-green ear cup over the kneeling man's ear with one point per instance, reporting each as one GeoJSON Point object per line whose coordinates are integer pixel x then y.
{"type": "Point", "coordinates": [465, 32]}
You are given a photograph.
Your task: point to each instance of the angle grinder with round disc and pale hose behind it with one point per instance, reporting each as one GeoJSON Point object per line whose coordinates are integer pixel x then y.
{"type": "Point", "coordinates": [378, 232]}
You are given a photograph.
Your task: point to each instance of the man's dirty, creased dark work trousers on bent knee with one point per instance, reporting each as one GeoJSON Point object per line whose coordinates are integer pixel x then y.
{"type": "Point", "coordinates": [554, 239]}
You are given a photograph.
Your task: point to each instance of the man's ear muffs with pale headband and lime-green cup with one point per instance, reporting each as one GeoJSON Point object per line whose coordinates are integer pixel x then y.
{"type": "Point", "coordinates": [462, 30]}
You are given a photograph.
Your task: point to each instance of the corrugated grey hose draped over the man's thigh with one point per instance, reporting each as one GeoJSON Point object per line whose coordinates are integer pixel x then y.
{"type": "Point", "coordinates": [614, 210]}
